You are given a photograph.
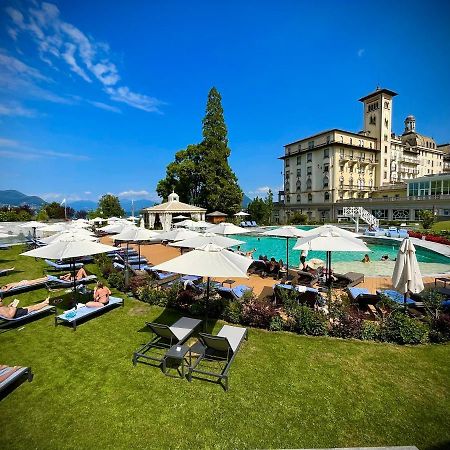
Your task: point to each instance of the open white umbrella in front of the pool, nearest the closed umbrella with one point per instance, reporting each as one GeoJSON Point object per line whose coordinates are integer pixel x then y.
{"type": "Point", "coordinates": [330, 241]}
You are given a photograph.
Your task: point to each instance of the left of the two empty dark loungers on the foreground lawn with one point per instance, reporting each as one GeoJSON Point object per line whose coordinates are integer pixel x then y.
{"type": "Point", "coordinates": [164, 337]}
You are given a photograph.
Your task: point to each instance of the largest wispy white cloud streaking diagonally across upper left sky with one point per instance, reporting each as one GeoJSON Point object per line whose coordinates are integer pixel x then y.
{"type": "Point", "coordinates": [60, 40]}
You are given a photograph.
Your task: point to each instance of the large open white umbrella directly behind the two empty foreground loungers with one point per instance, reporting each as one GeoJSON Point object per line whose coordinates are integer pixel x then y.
{"type": "Point", "coordinates": [208, 261]}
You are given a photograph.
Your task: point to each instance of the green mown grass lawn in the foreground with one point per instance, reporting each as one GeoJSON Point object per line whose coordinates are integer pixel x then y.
{"type": "Point", "coordinates": [286, 390]}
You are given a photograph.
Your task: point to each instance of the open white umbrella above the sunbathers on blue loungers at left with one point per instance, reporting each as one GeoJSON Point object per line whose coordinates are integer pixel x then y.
{"type": "Point", "coordinates": [69, 249]}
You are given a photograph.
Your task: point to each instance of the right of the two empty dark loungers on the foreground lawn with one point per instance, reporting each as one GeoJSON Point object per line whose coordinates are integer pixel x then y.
{"type": "Point", "coordinates": [217, 349]}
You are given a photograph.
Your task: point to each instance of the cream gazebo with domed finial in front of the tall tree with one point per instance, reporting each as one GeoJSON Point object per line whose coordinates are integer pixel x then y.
{"type": "Point", "coordinates": [166, 211]}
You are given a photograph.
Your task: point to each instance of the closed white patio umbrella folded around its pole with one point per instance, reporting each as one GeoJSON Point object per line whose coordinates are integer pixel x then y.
{"type": "Point", "coordinates": [406, 276]}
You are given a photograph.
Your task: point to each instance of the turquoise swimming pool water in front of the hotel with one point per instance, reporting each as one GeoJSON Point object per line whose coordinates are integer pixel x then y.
{"type": "Point", "coordinates": [429, 261]}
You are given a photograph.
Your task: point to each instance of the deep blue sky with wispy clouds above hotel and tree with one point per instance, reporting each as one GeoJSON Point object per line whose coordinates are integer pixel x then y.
{"type": "Point", "coordinates": [97, 96]}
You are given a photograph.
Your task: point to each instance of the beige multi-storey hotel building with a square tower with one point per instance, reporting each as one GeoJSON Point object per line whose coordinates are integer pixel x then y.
{"type": "Point", "coordinates": [336, 168]}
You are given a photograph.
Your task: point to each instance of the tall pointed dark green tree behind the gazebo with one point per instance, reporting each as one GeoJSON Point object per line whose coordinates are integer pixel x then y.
{"type": "Point", "coordinates": [201, 173]}
